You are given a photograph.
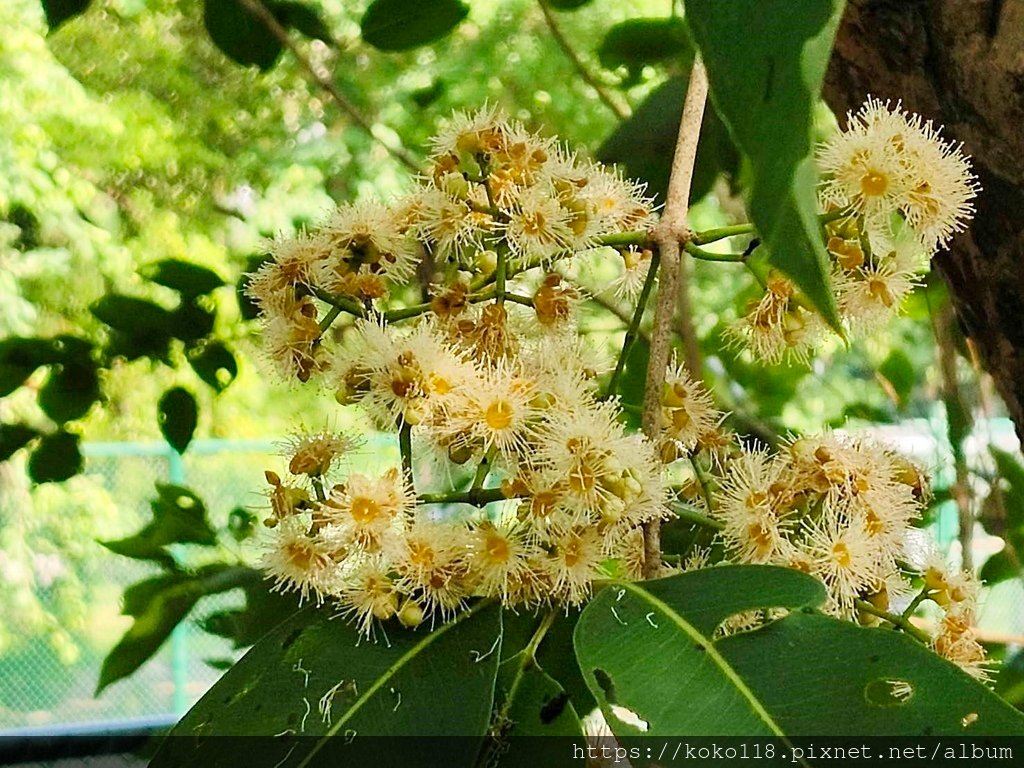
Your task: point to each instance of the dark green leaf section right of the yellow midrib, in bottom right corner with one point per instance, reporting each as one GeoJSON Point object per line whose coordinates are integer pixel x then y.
{"type": "Point", "coordinates": [817, 674]}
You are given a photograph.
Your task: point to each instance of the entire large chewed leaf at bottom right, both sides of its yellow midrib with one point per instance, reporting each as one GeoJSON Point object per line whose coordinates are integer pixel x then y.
{"type": "Point", "coordinates": [642, 645]}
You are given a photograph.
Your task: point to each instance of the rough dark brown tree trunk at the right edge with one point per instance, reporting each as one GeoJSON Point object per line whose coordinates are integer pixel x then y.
{"type": "Point", "coordinates": [960, 63]}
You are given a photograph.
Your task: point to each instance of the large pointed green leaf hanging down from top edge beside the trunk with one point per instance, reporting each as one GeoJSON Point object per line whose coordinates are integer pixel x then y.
{"type": "Point", "coordinates": [765, 82]}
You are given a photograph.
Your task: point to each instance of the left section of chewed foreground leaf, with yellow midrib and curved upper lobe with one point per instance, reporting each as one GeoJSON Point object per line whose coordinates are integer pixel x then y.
{"type": "Point", "coordinates": [648, 648]}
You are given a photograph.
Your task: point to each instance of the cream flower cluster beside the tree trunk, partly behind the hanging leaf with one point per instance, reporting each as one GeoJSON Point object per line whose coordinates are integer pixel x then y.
{"type": "Point", "coordinates": [893, 192]}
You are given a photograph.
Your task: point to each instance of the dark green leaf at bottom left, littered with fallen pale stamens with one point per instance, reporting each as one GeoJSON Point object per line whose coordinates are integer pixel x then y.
{"type": "Point", "coordinates": [323, 689]}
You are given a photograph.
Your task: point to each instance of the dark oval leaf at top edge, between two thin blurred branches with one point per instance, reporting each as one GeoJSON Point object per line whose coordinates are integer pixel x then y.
{"type": "Point", "coordinates": [400, 25]}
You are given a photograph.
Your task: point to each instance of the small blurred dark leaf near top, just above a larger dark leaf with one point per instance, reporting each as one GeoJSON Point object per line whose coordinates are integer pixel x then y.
{"type": "Point", "coordinates": [639, 42]}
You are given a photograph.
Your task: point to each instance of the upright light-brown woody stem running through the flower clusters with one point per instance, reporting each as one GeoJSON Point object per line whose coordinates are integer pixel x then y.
{"type": "Point", "coordinates": [671, 231]}
